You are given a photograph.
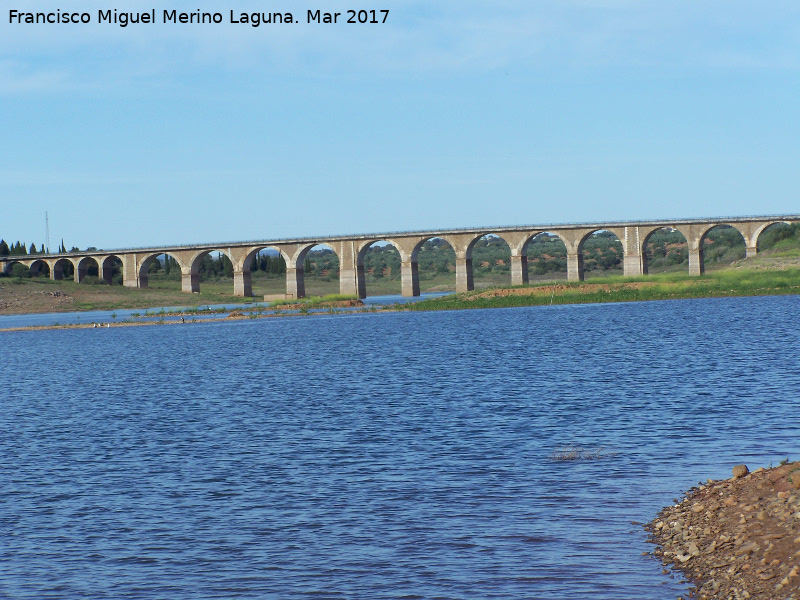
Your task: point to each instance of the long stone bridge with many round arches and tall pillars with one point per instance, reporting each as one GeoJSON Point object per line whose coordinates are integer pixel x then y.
{"type": "Point", "coordinates": [351, 250]}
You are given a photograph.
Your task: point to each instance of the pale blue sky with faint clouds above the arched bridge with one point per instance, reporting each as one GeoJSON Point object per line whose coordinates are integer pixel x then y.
{"type": "Point", "coordinates": [451, 114]}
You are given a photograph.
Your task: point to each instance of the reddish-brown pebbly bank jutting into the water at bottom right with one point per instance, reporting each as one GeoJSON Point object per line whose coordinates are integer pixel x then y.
{"type": "Point", "coordinates": [738, 538]}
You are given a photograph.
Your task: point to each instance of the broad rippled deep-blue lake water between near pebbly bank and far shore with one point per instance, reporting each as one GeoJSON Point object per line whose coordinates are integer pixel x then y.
{"type": "Point", "coordinates": [381, 456]}
